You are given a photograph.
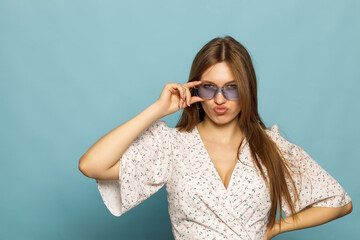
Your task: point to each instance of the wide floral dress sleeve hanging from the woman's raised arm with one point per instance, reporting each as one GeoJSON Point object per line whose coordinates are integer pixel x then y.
{"type": "Point", "coordinates": [145, 167]}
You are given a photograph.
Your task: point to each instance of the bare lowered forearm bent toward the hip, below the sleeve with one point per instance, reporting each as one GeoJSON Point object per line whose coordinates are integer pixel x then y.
{"type": "Point", "coordinates": [310, 217]}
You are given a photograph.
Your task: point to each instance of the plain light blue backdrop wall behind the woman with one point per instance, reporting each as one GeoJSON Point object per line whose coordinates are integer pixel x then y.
{"type": "Point", "coordinates": [71, 71]}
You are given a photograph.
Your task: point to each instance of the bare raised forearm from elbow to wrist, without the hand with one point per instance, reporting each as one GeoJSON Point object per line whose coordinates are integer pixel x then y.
{"type": "Point", "coordinates": [106, 152]}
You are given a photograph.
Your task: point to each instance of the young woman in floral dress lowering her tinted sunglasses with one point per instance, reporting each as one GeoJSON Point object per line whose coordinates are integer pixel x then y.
{"type": "Point", "coordinates": [226, 173]}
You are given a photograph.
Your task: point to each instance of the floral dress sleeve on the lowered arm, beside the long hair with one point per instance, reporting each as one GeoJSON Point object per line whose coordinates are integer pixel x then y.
{"type": "Point", "coordinates": [316, 187]}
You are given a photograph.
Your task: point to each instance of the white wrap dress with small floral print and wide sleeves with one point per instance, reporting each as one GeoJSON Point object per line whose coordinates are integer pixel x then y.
{"type": "Point", "coordinates": [200, 207]}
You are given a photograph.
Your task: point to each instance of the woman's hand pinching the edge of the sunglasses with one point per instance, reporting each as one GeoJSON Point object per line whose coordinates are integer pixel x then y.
{"type": "Point", "coordinates": [176, 96]}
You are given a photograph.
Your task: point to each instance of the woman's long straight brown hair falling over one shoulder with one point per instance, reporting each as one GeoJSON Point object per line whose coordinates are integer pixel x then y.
{"type": "Point", "coordinates": [263, 150]}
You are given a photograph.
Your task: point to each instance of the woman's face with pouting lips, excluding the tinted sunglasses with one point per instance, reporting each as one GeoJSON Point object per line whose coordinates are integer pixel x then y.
{"type": "Point", "coordinates": [220, 75]}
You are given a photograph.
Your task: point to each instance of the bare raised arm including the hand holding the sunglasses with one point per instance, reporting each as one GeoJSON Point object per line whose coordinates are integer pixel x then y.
{"type": "Point", "coordinates": [101, 161]}
